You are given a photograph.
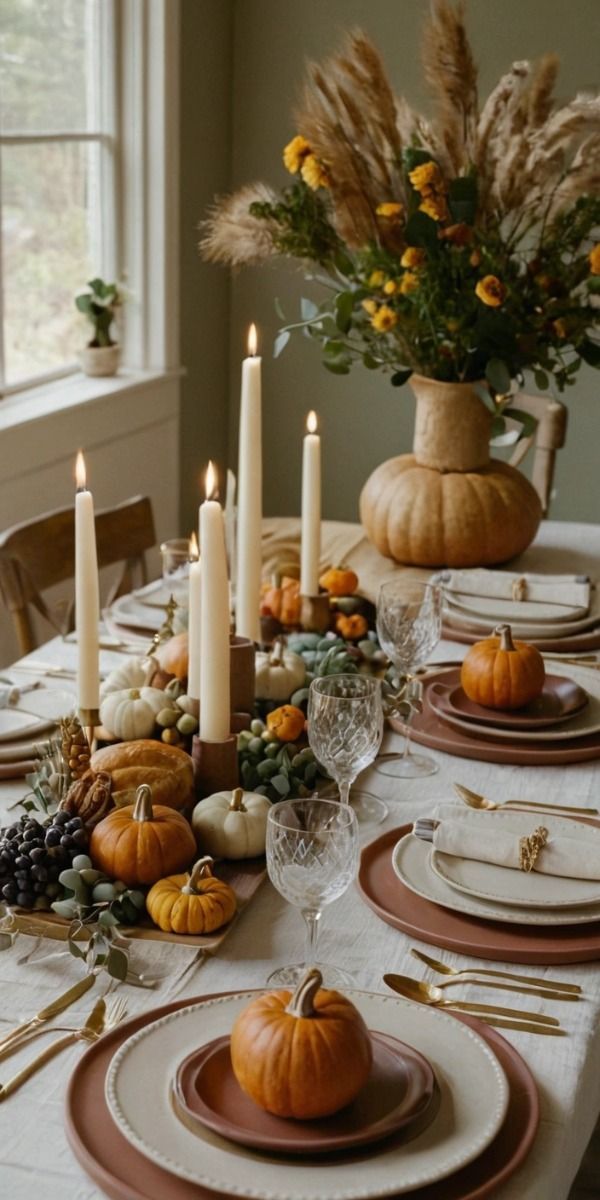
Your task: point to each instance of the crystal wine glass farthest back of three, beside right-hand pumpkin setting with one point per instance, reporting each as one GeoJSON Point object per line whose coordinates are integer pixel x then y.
{"type": "Point", "coordinates": [409, 628]}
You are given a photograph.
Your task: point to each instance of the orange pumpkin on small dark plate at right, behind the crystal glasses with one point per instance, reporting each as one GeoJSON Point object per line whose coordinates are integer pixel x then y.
{"type": "Point", "coordinates": [502, 674]}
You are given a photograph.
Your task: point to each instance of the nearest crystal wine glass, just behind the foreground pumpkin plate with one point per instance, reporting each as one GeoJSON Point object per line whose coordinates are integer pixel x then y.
{"type": "Point", "coordinates": [313, 854]}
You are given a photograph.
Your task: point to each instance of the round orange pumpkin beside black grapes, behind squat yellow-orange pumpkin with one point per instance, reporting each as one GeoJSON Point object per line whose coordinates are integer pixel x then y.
{"type": "Point", "coordinates": [141, 843]}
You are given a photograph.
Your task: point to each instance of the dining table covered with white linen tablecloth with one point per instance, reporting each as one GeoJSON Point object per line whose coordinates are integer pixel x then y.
{"type": "Point", "coordinates": [35, 1157]}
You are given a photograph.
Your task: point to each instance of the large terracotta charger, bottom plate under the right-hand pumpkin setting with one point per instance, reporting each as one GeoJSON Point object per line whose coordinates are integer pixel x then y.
{"type": "Point", "coordinates": [430, 730]}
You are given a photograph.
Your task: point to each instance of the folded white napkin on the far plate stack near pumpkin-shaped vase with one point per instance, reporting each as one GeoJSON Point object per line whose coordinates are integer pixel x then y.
{"type": "Point", "coordinates": [560, 590]}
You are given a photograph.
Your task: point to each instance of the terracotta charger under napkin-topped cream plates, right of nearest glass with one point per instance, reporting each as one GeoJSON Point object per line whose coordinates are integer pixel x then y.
{"type": "Point", "coordinates": [401, 908]}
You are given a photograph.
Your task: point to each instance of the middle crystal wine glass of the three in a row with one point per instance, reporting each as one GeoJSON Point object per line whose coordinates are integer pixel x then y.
{"type": "Point", "coordinates": [345, 733]}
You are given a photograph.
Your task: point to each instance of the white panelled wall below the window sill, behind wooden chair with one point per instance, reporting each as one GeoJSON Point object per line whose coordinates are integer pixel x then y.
{"type": "Point", "coordinates": [129, 430]}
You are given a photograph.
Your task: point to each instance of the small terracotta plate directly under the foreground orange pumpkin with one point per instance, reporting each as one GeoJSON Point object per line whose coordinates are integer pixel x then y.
{"type": "Point", "coordinates": [399, 1091]}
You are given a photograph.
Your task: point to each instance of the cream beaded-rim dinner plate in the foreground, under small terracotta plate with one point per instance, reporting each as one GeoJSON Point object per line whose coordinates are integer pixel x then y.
{"type": "Point", "coordinates": [473, 1103]}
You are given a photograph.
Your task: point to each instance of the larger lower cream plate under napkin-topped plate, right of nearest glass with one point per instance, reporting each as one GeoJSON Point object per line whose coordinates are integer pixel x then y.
{"type": "Point", "coordinates": [412, 865]}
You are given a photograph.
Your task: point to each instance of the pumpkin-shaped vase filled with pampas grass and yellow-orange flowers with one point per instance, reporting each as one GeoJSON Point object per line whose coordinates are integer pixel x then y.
{"type": "Point", "coordinates": [455, 253]}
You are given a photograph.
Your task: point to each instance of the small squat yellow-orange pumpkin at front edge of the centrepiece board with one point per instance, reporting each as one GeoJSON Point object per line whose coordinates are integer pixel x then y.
{"type": "Point", "coordinates": [193, 904]}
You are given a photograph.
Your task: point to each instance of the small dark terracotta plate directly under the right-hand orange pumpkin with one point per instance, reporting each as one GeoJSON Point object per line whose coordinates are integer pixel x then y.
{"type": "Point", "coordinates": [561, 699]}
